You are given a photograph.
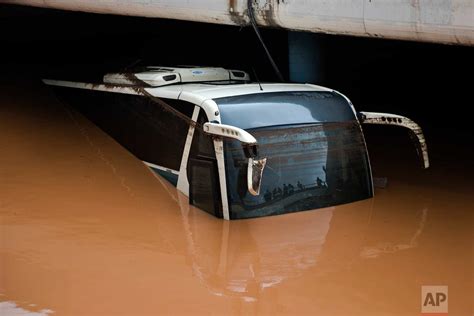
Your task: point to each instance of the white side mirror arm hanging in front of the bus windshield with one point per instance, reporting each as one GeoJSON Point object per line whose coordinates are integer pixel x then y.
{"type": "Point", "coordinates": [249, 146]}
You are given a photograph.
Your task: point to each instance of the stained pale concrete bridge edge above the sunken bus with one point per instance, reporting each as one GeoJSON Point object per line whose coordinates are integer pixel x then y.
{"type": "Point", "coordinates": [439, 21]}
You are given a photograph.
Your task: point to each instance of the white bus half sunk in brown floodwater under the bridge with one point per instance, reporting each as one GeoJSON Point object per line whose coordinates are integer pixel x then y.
{"type": "Point", "coordinates": [238, 149]}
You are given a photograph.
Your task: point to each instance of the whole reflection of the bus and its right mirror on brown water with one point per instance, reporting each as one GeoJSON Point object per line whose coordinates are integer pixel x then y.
{"type": "Point", "coordinates": [250, 257]}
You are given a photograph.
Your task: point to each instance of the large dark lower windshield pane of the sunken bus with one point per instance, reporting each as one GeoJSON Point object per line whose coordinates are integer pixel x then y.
{"type": "Point", "coordinates": [308, 166]}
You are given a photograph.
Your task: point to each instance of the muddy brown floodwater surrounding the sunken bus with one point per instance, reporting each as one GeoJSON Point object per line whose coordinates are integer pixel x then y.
{"type": "Point", "coordinates": [87, 229]}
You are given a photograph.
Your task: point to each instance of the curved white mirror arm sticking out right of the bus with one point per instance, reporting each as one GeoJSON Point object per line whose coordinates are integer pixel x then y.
{"type": "Point", "coordinates": [416, 133]}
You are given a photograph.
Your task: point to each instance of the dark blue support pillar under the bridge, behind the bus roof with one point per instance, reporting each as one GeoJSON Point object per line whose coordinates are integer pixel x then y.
{"type": "Point", "coordinates": [305, 56]}
